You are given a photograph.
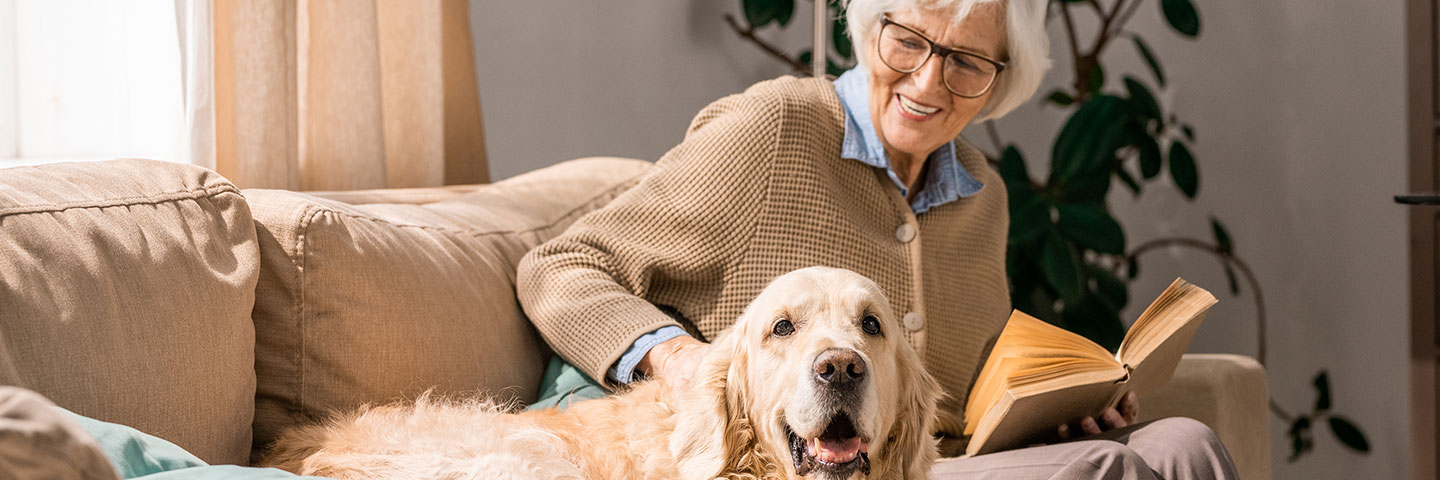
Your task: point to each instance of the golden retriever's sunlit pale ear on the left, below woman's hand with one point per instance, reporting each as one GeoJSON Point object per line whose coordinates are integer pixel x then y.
{"type": "Point", "coordinates": [711, 426]}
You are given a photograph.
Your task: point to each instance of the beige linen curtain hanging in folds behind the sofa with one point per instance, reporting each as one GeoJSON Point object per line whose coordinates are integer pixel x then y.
{"type": "Point", "coordinates": [346, 94]}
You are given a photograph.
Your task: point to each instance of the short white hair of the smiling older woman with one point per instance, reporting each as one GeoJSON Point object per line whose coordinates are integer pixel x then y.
{"type": "Point", "coordinates": [1027, 45]}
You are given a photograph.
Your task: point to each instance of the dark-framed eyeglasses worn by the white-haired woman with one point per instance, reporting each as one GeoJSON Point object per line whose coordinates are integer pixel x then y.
{"type": "Point", "coordinates": [964, 74]}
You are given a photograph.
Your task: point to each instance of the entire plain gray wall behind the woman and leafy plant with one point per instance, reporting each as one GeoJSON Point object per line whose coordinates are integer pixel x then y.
{"type": "Point", "coordinates": [1300, 113]}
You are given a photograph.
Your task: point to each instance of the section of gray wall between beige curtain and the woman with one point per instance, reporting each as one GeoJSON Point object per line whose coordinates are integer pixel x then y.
{"type": "Point", "coordinates": [572, 80]}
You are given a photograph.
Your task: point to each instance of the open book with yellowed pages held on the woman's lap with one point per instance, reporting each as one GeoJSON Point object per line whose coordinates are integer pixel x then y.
{"type": "Point", "coordinates": [1040, 377]}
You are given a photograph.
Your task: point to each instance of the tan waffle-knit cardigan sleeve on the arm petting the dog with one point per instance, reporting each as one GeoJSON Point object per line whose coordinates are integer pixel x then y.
{"type": "Point", "coordinates": [593, 290]}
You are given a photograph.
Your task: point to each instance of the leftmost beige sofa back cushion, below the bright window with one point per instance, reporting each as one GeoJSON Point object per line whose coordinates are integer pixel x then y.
{"type": "Point", "coordinates": [126, 292]}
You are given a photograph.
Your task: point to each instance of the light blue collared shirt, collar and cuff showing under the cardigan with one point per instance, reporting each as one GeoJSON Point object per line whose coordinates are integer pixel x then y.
{"type": "Point", "coordinates": [945, 182]}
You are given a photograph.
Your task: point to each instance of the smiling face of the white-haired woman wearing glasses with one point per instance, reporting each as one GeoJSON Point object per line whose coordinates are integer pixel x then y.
{"type": "Point", "coordinates": [937, 116]}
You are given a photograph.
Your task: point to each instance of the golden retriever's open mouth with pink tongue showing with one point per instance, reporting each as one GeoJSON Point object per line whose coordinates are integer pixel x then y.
{"type": "Point", "coordinates": [839, 450]}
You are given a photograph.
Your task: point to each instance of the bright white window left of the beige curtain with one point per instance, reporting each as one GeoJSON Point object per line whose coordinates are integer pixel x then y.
{"type": "Point", "coordinates": [90, 80]}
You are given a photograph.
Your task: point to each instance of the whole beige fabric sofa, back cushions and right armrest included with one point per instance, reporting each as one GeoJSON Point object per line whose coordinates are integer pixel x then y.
{"type": "Point", "coordinates": [163, 298]}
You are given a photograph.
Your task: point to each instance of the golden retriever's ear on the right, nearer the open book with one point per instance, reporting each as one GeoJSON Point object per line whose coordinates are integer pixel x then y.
{"type": "Point", "coordinates": [914, 448]}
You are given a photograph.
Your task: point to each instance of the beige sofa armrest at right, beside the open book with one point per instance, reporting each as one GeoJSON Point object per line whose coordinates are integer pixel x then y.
{"type": "Point", "coordinates": [1229, 394]}
